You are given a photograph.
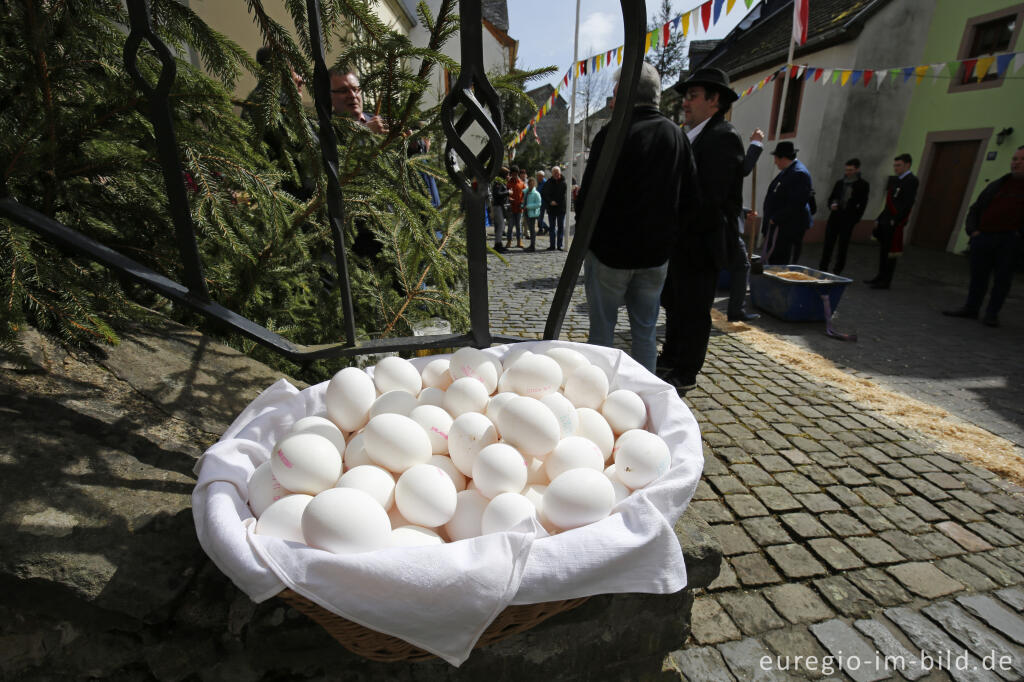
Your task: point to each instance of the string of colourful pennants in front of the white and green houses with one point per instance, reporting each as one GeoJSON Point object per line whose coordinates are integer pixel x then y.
{"type": "Point", "coordinates": [973, 69]}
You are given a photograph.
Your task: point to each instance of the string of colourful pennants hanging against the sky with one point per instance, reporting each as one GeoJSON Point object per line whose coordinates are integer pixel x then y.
{"type": "Point", "coordinates": [694, 21]}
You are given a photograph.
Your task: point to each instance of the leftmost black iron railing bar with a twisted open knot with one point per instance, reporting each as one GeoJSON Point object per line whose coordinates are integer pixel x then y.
{"type": "Point", "coordinates": [167, 147]}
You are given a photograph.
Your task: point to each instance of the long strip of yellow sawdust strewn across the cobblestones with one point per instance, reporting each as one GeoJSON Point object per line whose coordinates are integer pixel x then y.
{"type": "Point", "coordinates": [983, 448]}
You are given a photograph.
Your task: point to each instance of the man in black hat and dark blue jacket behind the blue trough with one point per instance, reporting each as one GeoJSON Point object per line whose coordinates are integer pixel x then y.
{"type": "Point", "coordinates": [787, 214]}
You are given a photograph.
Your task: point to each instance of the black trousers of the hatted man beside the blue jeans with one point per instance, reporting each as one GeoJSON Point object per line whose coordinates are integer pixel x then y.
{"type": "Point", "coordinates": [689, 295]}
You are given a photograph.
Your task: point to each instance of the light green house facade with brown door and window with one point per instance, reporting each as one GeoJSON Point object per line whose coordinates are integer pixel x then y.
{"type": "Point", "coordinates": [962, 132]}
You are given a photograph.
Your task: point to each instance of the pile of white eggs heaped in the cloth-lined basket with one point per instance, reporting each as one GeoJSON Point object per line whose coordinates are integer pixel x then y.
{"type": "Point", "coordinates": [467, 447]}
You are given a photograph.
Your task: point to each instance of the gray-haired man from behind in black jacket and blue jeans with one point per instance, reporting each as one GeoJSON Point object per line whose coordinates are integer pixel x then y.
{"type": "Point", "coordinates": [642, 220]}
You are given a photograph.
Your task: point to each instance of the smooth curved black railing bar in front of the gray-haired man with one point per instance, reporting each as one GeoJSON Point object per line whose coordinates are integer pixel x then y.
{"type": "Point", "coordinates": [635, 23]}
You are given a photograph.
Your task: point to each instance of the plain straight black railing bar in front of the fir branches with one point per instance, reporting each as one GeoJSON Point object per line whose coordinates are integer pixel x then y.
{"type": "Point", "coordinates": [329, 152]}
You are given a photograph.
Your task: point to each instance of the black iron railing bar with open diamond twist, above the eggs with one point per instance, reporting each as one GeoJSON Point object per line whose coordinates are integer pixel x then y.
{"type": "Point", "coordinates": [471, 89]}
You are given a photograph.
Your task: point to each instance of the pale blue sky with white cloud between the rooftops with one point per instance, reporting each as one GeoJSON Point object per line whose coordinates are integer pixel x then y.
{"type": "Point", "coordinates": [545, 28]}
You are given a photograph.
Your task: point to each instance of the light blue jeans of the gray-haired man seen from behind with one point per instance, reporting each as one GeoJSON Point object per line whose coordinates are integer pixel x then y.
{"type": "Point", "coordinates": [609, 288]}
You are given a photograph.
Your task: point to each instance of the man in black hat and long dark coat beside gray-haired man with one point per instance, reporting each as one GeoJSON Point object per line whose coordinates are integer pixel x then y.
{"type": "Point", "coordinates": [709, 243]}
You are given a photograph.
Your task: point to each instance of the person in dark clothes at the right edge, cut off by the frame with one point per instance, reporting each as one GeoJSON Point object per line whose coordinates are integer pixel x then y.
{"type": "Point", "coordinates": [996, 224]}
